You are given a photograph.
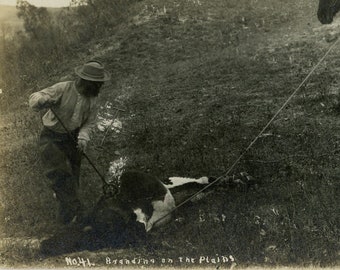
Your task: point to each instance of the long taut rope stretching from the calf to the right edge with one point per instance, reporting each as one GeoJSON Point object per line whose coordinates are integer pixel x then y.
{"type": "Point", "coordinates": [256, 138]}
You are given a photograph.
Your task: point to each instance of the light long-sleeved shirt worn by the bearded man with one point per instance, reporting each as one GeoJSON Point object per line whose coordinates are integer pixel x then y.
{"type": "Point", "coordinates": [74, 110]}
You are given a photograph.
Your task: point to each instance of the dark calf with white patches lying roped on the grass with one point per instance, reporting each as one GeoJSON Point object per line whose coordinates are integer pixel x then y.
{"type": "Point", "coordinates": [112, 223]}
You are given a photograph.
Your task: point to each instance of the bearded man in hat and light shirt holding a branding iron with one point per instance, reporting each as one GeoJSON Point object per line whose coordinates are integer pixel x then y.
{"type": "Point", "coordinates": [67, 130]}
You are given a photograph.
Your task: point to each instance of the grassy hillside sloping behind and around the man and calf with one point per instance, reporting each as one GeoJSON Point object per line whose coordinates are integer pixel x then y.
{"type": "Point", "coordinates": [193, 83]}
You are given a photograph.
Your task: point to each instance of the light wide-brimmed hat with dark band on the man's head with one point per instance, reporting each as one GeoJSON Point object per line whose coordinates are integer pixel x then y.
{"type": "Point", "coordinates": [92, 71]}
